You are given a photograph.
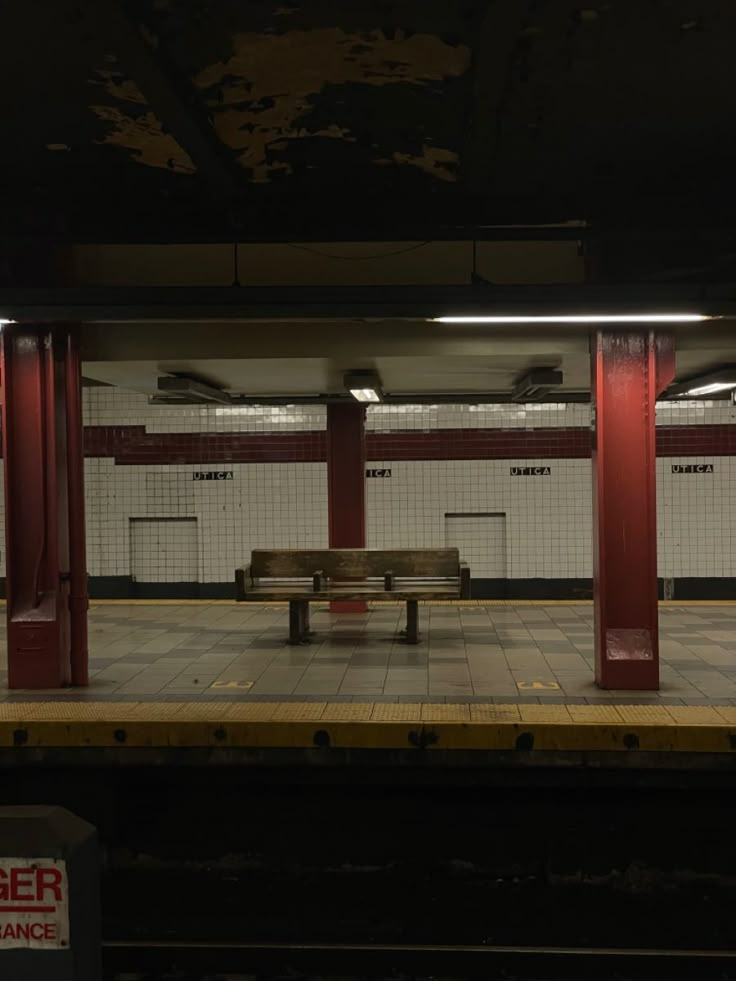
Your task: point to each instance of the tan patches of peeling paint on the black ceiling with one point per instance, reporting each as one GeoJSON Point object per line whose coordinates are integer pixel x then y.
{"type": "Point", "coordinates": [263, 95]}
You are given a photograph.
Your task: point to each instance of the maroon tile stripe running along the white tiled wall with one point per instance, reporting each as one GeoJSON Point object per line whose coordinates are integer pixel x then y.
{"type": "Point", "coordinates": [130, 445]}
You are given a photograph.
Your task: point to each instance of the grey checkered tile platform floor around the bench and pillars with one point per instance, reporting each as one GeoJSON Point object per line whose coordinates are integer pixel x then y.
{"type": "Point", "coordinates": [468, 653]}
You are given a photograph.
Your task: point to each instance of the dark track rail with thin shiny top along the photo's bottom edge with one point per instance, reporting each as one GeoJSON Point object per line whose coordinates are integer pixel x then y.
{"type": "Point", "coordinates": [195, 961]}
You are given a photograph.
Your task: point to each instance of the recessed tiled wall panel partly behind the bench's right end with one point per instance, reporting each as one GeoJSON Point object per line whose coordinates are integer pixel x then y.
{"type": "Point", "coordinates": [481, 540]}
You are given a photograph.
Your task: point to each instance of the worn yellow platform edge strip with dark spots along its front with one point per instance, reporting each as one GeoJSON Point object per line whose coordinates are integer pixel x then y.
{"type": "Point", "coordinates": [379, 726]}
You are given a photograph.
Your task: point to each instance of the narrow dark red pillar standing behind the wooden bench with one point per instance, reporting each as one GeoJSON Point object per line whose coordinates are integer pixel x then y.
{"type": "Point", "coordinates": [346, 484]}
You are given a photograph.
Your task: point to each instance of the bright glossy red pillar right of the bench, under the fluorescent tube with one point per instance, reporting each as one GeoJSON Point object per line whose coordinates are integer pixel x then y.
{"type": "Point", "coordinates": [629, 370]}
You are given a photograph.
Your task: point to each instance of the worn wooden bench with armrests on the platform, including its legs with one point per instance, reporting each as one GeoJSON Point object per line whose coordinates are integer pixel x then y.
{"type": "Point", "coordinates": [301, 576]}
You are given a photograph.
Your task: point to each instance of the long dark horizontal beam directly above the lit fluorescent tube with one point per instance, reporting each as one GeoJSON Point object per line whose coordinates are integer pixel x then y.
{"type": "Point", "coordinates": [125, 304]}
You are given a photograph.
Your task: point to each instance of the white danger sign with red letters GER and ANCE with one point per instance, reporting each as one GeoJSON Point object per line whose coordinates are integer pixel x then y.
{"type": "Point", "coordinates": [34, 903]}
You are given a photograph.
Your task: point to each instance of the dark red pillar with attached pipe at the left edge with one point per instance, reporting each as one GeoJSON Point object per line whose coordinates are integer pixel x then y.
{"type": "Point", "coordinates": [38, 493]}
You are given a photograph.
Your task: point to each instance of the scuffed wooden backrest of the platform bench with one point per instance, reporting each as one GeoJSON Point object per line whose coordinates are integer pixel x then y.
{"type": "Point", "coordinates": [338, 563]}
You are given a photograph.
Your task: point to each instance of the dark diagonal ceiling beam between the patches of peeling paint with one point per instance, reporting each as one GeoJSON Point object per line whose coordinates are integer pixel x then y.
{"type": "Point", "coordinates": [173, 99]}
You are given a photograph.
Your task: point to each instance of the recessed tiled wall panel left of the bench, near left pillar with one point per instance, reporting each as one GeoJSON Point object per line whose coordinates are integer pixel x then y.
{"type": "Point", "coordinates": [164, 555]}
